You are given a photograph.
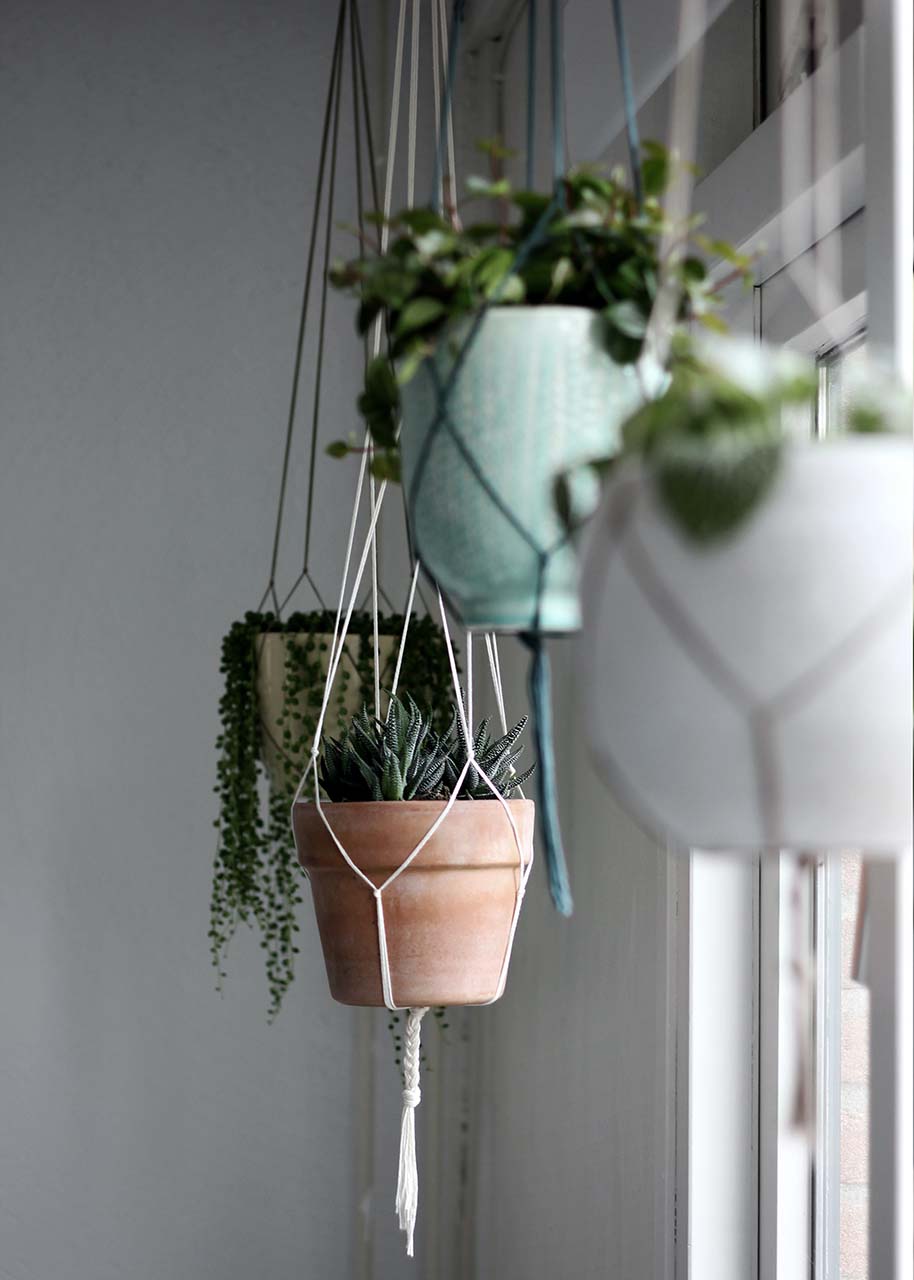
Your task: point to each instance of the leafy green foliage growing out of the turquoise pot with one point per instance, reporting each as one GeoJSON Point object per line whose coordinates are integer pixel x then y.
{"type": "Point", "coordinates": [593, 248]}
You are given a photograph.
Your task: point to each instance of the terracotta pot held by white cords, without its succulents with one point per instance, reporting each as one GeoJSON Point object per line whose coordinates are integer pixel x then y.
{"type": "Point", "coordinates": [447, 916]}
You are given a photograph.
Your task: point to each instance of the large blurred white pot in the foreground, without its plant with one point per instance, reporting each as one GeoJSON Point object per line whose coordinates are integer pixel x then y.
{"type": "Point", "coordinates": [757, 693]}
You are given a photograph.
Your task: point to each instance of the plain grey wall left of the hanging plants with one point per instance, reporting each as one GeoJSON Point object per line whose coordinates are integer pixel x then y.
{"type": "Point", "coordinates": [156, 170]}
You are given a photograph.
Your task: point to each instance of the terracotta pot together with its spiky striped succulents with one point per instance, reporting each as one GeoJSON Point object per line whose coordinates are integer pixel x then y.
{"type": "Point", "coordinates": [449, 915]}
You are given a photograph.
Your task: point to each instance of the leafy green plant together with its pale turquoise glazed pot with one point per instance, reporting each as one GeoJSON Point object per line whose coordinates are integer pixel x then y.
{"type": "Point", "coordinates": [525, 328]}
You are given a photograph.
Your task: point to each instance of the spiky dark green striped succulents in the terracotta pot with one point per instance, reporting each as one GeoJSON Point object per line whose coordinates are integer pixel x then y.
{"type": "Point", "coordinates": [405, 758]}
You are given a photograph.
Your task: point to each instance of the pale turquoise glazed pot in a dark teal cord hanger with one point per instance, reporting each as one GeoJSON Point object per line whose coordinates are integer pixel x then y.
{"type": "Point", "coordinates": [536, 395]}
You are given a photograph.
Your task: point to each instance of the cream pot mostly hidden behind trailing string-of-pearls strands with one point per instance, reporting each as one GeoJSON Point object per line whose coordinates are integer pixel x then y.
{"type": "Point", "coordinates": [284, 767]}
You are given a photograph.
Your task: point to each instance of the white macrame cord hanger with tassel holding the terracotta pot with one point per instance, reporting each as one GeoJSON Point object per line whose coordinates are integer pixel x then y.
{"type": "Point", "coordinates": [408, 1181]}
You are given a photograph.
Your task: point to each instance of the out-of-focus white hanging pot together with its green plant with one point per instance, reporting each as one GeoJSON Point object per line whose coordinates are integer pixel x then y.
{"type": "Point", "coordinates": [747, 605]}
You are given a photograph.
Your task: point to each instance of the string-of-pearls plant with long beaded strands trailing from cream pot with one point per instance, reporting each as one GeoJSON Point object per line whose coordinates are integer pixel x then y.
{"type": "Point", "coordinates": [257, 880]}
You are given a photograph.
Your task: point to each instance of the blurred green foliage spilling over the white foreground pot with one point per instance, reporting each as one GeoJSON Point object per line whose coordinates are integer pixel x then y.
{"type": "Point", "coordinates": [714, 442]}
